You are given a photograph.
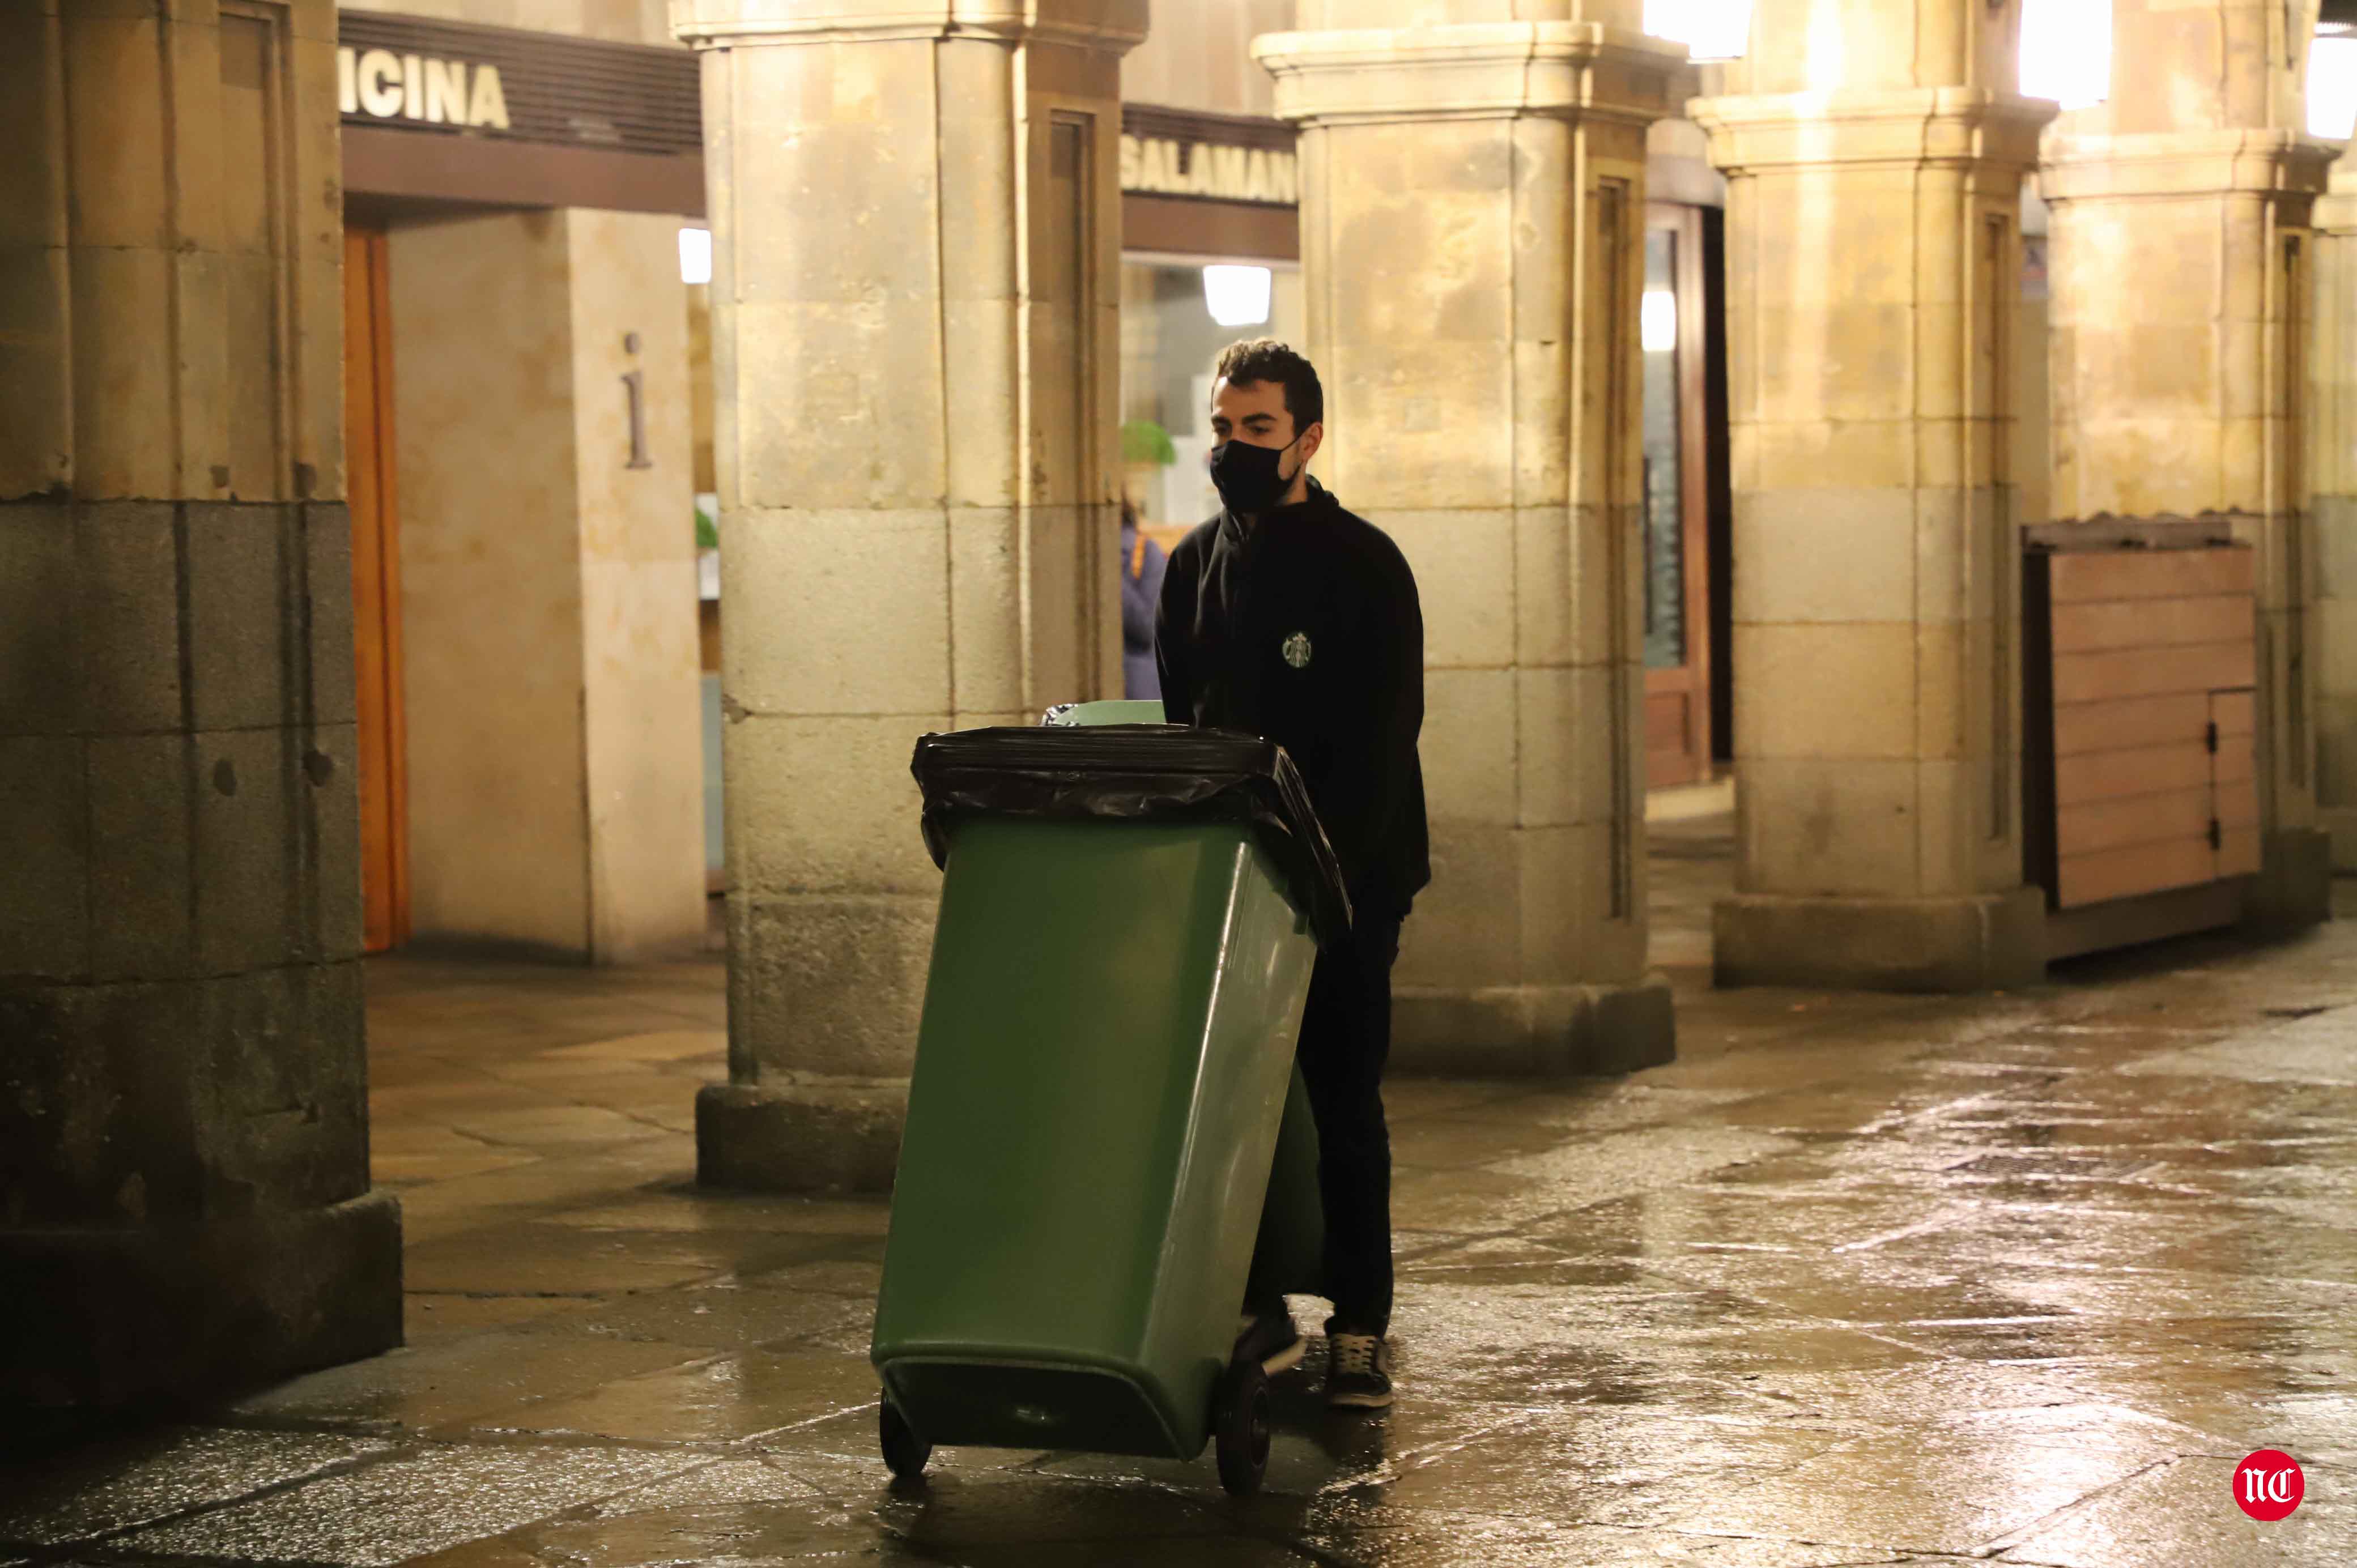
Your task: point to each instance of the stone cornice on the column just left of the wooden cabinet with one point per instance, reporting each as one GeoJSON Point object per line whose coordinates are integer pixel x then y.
{"type": "Point", "coordinates": [1899, 129]}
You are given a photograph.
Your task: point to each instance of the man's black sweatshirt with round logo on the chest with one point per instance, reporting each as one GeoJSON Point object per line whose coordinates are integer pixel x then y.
{"type": "Point", "coordinates": [1305, 628]}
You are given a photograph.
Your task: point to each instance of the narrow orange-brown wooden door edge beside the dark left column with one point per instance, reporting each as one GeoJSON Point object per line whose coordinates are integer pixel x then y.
{"type": "Point", "coordinates": [376, 591]}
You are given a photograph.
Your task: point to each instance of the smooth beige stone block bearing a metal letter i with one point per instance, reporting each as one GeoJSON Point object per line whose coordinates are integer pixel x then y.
{"type": "Point", "coordinates": [548, 586]}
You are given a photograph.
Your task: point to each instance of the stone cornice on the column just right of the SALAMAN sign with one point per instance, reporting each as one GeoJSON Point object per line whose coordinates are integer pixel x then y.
{"type": "Point", "coordinates": [1474, 72]}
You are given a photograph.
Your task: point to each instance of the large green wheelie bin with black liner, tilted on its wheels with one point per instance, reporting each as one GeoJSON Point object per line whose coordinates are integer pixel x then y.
{"type": "Point", "coordinates": [1104, 1062]}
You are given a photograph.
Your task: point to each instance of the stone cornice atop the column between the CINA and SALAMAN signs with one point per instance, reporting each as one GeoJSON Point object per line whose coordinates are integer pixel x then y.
{"type": "Point", "coordinates": [1088, 25]}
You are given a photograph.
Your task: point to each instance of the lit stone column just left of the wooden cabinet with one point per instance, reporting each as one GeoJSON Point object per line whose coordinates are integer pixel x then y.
{"type": "Point", "coordinates": [1875, 171]}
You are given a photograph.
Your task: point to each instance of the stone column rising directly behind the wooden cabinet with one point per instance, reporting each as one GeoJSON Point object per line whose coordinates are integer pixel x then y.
{"type": "Point", "coordinates": [2188, 393]}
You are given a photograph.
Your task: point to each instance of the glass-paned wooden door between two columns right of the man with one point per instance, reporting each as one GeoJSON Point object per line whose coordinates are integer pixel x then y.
{"type": "Point", "coordinates": [1677, 503]}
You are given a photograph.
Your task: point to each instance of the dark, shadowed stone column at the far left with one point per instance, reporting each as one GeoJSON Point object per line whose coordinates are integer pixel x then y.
{"type": "Point", "coordinates": [183, 1079]}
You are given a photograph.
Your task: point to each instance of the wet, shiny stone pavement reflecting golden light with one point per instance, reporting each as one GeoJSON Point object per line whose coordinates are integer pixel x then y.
{"type": "Point", "coordinates": [1856, 1282]}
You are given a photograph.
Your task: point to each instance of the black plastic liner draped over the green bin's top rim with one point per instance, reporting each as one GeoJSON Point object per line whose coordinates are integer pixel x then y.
{"type": "Point", "coordinates": [1137, 772]}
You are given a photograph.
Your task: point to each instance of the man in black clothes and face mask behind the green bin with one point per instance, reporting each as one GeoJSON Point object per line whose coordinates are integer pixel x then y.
{"type": "Point", "coordinates": [1298, 621]}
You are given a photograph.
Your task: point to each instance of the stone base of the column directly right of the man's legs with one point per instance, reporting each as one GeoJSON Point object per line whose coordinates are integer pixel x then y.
{"type": "Point", "coordinates": [1533, 1032]}
